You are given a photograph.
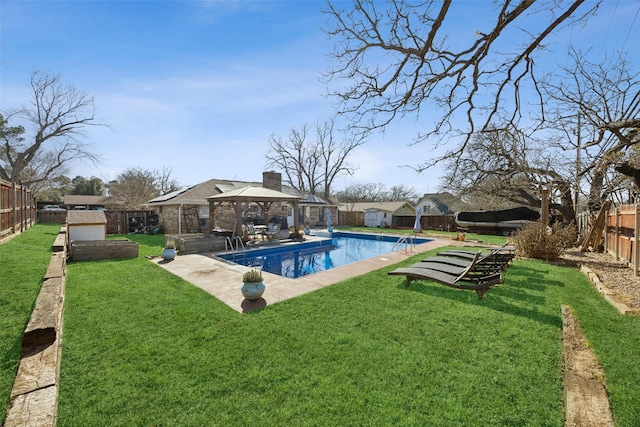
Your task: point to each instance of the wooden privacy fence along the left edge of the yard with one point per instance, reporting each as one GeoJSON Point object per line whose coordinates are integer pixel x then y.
{"type": "Point", "coordinates": [17, 209]}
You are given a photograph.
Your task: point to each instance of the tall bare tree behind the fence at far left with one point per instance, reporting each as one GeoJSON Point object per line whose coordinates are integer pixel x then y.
{"type": "Point", "coordinates": [58, 114]}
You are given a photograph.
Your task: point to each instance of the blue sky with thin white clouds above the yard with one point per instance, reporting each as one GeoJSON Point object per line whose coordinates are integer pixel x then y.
{"type": "Point", "coordinates": [200, 86]}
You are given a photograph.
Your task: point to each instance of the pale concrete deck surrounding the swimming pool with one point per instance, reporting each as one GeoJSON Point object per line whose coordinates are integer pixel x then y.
{"type": "Point", "coordinates": [223, 279]}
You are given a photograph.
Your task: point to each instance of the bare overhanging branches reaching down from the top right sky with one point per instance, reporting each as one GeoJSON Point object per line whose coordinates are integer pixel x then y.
{"type": "Point", "coordinates": [395, 58]}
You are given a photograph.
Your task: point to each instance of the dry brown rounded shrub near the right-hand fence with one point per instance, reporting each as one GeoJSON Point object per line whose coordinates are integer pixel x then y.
{"type": "Point", "coordinates": [539, 241]}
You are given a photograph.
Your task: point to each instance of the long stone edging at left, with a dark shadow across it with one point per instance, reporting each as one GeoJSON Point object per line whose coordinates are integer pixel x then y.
{"type": "Point", "coordinates": [35, 390]}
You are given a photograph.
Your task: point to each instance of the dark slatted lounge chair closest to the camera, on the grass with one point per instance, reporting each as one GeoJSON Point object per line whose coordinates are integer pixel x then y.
{"type": "Point", "coordinates": [467, 279]}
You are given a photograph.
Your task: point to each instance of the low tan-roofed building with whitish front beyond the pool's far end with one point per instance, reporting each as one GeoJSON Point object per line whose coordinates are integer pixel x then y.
{"type": "Point", "coordinates": [379, 214]}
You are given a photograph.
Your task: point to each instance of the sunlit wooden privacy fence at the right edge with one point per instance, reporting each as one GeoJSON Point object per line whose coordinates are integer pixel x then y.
{"type": "Point", "coordinates": [621, 238]}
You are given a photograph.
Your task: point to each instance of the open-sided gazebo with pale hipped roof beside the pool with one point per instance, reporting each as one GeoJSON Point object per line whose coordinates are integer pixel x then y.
{"type": "Point", "coordinates": [263, 197]}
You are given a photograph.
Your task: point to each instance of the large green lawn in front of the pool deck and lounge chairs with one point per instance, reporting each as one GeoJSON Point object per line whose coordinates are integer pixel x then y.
{"type": "Point", "coordinates": [143, 347]}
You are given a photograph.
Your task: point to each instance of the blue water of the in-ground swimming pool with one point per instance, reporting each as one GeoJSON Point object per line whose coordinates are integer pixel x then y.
{"type": "Point", "coordinates": [313, 257]}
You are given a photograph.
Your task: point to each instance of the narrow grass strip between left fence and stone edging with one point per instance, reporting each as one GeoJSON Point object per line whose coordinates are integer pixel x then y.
{"type": "Point", "coordinates": [23, 262]}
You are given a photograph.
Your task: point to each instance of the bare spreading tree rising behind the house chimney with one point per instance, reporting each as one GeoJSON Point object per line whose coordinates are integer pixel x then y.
{"type": "Point", "coordinates": [312, 159]}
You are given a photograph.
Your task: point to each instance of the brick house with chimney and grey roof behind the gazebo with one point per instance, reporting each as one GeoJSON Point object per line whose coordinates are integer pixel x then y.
{"type": "Point", "coordinates": [188, 210]}
